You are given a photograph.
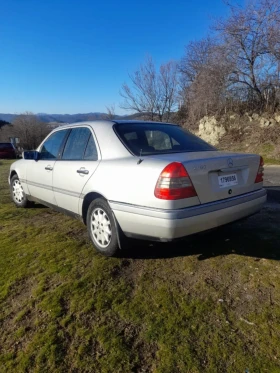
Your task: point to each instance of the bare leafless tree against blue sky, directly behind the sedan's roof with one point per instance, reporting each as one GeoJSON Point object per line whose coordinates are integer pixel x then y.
{"type": "Point", "coordinates": [152, 93]}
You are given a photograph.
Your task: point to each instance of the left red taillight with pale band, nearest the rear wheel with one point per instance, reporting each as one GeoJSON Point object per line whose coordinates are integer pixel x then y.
{"type": "Point", "coordinates": [174, 183]}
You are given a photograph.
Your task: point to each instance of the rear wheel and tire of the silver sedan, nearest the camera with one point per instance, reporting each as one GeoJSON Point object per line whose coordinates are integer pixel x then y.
{"type": "Point", "coordinates": [102, 228]}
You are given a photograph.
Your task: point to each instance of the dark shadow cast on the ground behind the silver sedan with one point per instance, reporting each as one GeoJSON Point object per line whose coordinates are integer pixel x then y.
{"type": "Point", "coordinates": [257, 236]}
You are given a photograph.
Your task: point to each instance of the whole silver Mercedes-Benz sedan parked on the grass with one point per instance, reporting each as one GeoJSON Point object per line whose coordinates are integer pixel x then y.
{"type": "Point", "coordinates": [148, 180]}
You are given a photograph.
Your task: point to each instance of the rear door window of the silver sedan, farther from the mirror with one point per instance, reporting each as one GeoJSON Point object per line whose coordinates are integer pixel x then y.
{"type": "Point", "coordinates": [80, 145]}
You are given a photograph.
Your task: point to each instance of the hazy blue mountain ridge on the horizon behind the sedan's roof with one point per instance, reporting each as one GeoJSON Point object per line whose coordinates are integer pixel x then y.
{"type": "Point", "coordinates": [69, 118]}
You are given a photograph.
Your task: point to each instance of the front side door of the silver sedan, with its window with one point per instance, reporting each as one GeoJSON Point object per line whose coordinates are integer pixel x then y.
{"type": "Point", "coordinates": [39, 174]}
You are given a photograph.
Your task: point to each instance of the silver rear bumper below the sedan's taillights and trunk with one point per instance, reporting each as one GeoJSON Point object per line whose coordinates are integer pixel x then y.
{"type": "Point", "coordinates": [166, 225]}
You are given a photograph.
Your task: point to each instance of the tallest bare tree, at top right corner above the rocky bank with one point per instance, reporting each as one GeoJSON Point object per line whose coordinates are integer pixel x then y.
{"type": "Point", "coordinates": [249, 36]}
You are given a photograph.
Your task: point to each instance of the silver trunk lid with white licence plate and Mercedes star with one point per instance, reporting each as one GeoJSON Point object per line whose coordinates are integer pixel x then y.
{"type": "Point", "coordinates": [219, 175]}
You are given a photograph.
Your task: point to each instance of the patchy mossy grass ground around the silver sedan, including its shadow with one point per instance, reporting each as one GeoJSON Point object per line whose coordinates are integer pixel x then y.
{"type": "Point", "coordinates": [207, 304]}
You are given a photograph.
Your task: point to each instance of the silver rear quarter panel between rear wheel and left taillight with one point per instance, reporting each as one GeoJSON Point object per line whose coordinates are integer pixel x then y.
{"type": "Point", "coordinates": [124, 180]}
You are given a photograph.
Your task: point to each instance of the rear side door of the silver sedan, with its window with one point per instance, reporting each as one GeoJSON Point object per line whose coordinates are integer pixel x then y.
{"type": "Point", "coordinates": [78, 162]}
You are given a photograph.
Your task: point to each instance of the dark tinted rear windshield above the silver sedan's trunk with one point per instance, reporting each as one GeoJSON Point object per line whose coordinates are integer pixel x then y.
{"type": "Point", "coordinates": [157, 138]}
